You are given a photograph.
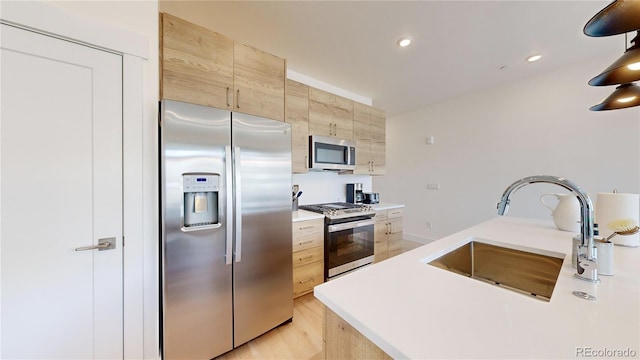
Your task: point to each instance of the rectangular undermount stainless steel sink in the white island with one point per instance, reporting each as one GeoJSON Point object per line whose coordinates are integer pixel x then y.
{"type": "Point", "coordinates": [532, 272]}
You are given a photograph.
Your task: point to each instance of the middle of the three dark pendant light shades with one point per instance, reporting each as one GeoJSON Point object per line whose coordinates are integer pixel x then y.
{"type": "Point", "coordinates": [624, 70]}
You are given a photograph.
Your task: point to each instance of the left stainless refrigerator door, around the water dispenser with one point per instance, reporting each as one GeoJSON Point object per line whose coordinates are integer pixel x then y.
{"type": "Point", "coordinates": [196, 279]}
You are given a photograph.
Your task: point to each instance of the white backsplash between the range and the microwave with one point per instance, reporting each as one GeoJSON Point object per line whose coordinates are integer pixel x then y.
{"type": "Point", "coordinates": [324, 186]}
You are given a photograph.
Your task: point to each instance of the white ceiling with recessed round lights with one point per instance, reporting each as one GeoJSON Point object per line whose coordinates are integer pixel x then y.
{"type": "Point", "coordinates": [458, 47]}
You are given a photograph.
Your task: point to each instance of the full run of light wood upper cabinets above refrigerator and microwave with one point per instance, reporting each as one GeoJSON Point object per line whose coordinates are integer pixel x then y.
{"type": "Point", "coordinates": [202, 67]}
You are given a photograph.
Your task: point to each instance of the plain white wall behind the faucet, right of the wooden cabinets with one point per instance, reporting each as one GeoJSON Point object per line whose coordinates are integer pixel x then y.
{"type": "Point", "coordinates": [487, 140]}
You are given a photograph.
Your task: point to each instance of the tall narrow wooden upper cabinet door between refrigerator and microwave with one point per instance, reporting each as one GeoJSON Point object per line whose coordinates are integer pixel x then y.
{"type": "Point", "coordinates": [297, 114]}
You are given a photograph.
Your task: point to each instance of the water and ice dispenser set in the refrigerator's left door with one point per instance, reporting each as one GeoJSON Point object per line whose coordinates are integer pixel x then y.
{"type": "Point", "coordinates": [200, 201]}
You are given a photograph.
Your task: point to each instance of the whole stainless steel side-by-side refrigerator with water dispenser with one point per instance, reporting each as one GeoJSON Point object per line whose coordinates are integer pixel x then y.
{"type": "Point", "coordinates": [226, 268]}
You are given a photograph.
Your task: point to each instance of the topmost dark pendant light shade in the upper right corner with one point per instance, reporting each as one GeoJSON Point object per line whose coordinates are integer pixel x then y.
{"type": "Point", "coordinates": [621, 16]}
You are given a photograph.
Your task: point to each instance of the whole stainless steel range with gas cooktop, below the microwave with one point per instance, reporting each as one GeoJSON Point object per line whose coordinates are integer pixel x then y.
{"type": "Point", "coordinates": [349, 236]}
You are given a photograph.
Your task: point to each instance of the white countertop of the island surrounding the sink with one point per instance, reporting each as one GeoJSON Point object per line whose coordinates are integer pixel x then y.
{"type": "Point", "coordinates": [413, 310]}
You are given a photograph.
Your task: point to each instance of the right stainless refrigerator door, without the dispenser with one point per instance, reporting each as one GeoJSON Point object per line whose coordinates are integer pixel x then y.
{"type": "Point", "coordinates": [262, 280]}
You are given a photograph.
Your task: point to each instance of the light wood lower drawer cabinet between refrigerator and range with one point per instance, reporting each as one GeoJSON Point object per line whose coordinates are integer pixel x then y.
{"type": "Point", "coordinates": [308, 256]}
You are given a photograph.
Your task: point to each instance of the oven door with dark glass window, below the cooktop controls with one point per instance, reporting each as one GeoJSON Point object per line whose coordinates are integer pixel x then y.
{"type": "Point", "coordinates": [348, 246]}
